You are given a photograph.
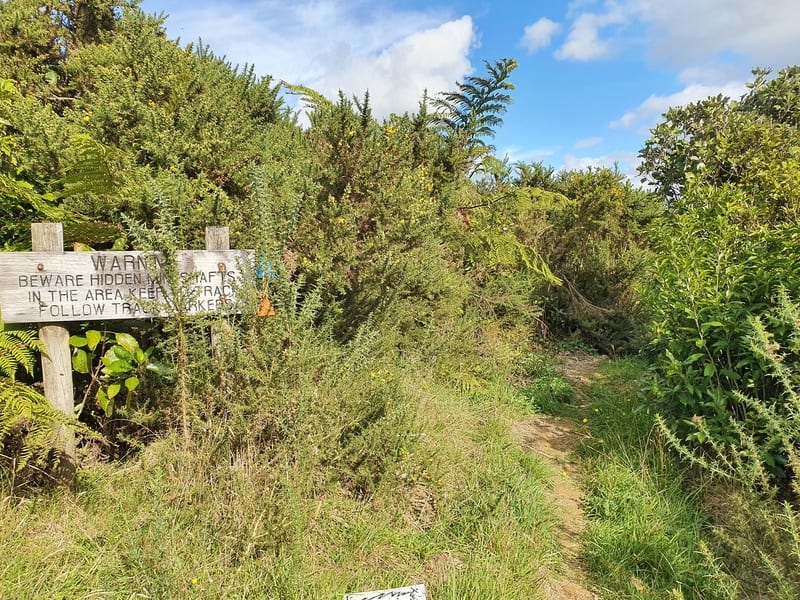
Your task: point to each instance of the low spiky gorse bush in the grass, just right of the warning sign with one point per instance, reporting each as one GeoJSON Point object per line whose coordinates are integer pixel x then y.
{"type": "Point", "coordinates": [285, 388]}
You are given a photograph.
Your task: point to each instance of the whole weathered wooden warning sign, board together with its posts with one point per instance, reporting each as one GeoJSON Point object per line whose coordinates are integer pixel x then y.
{"type": "Point", "coordinates": [51, 287]}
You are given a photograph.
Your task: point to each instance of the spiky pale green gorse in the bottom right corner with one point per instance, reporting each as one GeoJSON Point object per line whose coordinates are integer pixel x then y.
{"type": "Point", "coordinates": [756, 461]}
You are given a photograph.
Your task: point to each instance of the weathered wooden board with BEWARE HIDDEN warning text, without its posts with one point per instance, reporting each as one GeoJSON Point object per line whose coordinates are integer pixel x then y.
{"type": "Point", "coordinates": [46, 287]}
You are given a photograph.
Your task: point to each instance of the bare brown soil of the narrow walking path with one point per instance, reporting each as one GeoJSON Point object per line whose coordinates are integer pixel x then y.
{"type": "Point", "coordinates": [554, 439]}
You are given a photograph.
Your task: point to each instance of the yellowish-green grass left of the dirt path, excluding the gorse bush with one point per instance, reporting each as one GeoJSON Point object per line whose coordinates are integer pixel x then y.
{"type": "Point", "coordinates": [462, 508]}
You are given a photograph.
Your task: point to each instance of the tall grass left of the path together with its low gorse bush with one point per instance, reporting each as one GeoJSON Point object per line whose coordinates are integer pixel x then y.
{"type": "Point", "coordinates": [313, 469]}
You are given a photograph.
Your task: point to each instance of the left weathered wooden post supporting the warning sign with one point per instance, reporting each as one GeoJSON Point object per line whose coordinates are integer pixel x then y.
{"type": "Point", "coordinates": [56, 362]}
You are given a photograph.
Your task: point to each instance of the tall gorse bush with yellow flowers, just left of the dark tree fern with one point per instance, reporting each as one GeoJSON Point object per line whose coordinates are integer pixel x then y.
{"type": "Point", "coordinates": [369, 238]}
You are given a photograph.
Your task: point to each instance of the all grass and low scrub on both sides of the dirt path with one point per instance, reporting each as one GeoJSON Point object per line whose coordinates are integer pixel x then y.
{"type": "Point", "coordinates": [345, 469]}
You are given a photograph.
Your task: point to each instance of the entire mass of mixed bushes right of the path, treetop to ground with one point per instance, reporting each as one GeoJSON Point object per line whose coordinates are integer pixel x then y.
{"type": "Point", "coordinates": [723, 292]}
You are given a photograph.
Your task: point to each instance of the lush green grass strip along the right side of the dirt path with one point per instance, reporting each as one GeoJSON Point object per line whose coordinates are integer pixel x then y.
{"type": "Point", "coordinates": [646, 536]}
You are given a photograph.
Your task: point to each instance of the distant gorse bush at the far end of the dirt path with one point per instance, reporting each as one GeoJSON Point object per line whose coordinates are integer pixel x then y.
{"type": "Point", "coordinates": [589, 228]}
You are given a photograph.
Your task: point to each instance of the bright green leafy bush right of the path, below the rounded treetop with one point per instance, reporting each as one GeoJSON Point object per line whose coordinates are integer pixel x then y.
{"type": "Point", "coordinates": [719, 269]}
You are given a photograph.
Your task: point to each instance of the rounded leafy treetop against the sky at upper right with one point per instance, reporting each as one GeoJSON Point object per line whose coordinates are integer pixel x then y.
{"type": "Point", "coordinates": [750, 143]}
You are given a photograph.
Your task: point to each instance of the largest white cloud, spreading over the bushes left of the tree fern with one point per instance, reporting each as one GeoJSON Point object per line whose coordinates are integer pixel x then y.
{"type": "Point", "coordinates": [330, 45]}
